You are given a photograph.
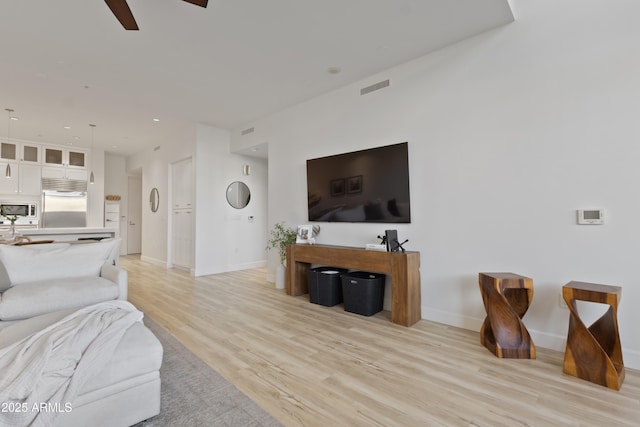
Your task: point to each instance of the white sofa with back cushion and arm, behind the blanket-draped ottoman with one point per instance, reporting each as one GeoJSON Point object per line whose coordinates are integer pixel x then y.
{"type": "Point", "coordinates": [40, 279]}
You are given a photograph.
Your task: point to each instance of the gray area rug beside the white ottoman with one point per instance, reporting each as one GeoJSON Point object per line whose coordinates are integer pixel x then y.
{"type": "Point", "coordinates": [193, 394]}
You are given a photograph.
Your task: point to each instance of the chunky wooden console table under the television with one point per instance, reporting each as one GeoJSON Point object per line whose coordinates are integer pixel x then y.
{"type": "Point", "coordinates": [403, 267]}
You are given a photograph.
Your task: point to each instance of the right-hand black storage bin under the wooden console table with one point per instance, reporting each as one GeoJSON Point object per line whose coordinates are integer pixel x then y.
{"type": "Point", "coordinates": [363, 292]}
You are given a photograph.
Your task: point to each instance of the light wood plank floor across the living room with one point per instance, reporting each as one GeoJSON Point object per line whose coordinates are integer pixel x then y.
{"type": "Point", "coordinates": [310, 365]}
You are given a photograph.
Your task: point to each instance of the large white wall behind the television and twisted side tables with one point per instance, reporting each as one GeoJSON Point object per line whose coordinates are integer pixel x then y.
{"type": "Point", "coordinates": [509, 133]}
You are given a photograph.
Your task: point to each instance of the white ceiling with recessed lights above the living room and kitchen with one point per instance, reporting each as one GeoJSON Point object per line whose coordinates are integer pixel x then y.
{"type": "Point", "coordinates": [70, 63]}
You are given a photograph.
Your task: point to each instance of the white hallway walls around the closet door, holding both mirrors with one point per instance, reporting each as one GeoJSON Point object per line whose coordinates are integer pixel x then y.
{"type": "Point", "coordinates": [225, 239]}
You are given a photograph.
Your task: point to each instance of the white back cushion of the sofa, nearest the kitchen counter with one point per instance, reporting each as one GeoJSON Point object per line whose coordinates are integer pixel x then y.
{"type": "Point", "coordinates": [32, 263]}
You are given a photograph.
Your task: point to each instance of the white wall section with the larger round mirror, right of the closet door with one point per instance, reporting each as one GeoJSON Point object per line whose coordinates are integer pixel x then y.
{"type": "Point", "coordinates": [227, 239]}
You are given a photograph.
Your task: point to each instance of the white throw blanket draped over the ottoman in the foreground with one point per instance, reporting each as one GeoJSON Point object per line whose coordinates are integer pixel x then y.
{"type": "Point", "coordinates": [51, 366]}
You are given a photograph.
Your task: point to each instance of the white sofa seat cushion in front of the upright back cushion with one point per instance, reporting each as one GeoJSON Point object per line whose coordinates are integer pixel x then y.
{"type": "Point", "coordinates": [35, 298]}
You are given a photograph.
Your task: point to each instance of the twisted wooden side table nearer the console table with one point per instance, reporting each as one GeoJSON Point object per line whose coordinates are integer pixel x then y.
{"type": "Point", "coordinates": [506, 298]}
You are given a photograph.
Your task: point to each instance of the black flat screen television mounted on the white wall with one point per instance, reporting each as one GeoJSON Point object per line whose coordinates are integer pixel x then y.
{"type": "Point", "coordinates": [362, 186]}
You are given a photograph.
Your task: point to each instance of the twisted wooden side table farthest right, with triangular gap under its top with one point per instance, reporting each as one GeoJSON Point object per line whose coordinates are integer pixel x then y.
{"type": "Point", "coordinates": [594, 353]}
